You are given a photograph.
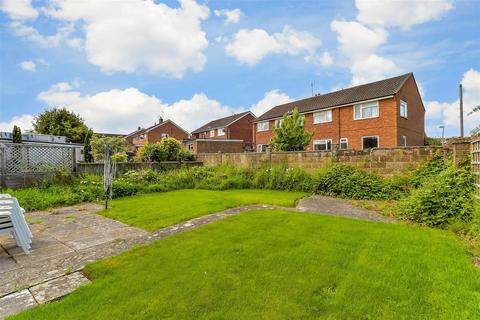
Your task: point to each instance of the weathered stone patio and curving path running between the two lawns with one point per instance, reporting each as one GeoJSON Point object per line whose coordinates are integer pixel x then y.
{"type": "Point", "coordinates": [68, 238]}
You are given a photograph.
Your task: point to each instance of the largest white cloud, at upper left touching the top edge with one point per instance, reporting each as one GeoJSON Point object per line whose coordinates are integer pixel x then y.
{"type": "Point", "coordinates": [138, 34]}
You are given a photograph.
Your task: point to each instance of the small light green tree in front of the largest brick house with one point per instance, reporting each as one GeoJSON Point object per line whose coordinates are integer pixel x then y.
{"type": "Point", "coordinates": [290, 135]}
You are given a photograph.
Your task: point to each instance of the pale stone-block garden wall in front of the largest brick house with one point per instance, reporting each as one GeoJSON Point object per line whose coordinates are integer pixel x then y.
{"type": "Point", "coordinates": [384, 161]}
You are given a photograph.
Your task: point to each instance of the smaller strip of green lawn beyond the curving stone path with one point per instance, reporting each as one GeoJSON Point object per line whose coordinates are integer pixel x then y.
{"type": "Point", "coordinates": [157, 210]}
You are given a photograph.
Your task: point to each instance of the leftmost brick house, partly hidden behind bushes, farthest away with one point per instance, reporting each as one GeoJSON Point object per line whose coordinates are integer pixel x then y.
{"type": "Point", "coordinates": [155, 133]}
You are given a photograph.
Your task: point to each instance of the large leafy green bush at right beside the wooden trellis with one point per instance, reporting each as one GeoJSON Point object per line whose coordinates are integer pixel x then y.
{"type": "Point", "coordinates": [443, 197]}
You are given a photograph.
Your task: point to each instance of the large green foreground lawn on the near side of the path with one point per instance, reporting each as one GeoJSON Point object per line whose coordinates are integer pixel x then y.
{"type": "Point", "coordinates": [281, 265]}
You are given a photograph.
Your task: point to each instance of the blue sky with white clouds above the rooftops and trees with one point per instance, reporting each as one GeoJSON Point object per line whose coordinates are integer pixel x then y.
{"type": "Point", "coordinates": [121, 64]}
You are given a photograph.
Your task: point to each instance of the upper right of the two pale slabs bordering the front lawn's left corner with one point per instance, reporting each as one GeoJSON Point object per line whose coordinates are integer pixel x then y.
{"type": "Point", "coordinates": [58, 288]}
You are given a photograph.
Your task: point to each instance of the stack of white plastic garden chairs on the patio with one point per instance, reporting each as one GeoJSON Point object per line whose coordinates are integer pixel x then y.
{"type": "Point", "coordinates": [12, 222]}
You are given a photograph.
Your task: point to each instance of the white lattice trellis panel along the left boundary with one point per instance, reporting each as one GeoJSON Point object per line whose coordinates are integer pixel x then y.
{"type": "Point", "coordinates": [23, 158]}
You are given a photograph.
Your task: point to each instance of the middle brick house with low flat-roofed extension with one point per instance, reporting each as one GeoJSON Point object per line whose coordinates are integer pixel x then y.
{"type": "Point", "coordinates": [229, 134]}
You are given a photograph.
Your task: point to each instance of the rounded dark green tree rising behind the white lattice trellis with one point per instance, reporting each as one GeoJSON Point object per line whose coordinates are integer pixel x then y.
{"type": "Point", "coordinates": [61, 122]}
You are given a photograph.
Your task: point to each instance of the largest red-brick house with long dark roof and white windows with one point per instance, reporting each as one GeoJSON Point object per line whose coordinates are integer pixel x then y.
{"type": "Point", "coordinates": [386, 113]}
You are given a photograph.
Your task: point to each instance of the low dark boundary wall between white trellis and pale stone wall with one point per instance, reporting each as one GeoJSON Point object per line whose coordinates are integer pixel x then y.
{"type": "Point", "coordinates": [97, 168]}
